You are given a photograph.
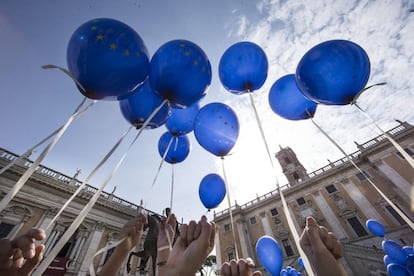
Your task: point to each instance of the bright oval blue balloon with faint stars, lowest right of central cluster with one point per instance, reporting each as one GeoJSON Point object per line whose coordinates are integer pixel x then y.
{"type": "Point", "coordinates": [216, 128]}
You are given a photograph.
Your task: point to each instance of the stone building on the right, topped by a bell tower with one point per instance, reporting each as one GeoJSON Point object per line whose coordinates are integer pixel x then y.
{"type": "Point", "coordinates": [339, 196]}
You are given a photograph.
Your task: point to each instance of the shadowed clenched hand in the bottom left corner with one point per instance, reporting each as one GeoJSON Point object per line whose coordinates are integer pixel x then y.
{"type": "Point", "coordinates": [20, 256]}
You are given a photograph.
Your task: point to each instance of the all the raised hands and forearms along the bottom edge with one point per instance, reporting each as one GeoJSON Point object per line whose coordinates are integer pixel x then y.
{"type": "Point", "coordinates": [20, 256]}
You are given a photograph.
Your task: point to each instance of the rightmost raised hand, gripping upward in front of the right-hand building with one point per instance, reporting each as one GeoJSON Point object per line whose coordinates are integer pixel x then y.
{"type": "Point", "coordinates": [322, 248]}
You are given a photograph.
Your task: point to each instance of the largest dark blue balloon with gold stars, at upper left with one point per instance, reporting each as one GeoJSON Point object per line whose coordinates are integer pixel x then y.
{"type": "Point", "coordinates": [108, 58]}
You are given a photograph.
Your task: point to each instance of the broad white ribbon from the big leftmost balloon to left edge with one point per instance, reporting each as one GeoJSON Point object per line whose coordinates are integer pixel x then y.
{"type": "Point", "coordinates": [19, 184]}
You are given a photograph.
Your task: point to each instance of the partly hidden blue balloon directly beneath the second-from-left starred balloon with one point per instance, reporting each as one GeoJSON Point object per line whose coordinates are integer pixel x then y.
{"type": "Point", "coordinates": [181, 120]}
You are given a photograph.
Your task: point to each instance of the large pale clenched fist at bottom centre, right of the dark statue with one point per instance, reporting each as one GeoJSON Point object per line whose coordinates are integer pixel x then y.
{"type": "Point", "coordinates": [191, 249]}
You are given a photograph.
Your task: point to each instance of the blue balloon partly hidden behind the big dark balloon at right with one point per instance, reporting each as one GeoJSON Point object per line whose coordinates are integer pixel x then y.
{"type": "Point", "coordinates": [287, 101]}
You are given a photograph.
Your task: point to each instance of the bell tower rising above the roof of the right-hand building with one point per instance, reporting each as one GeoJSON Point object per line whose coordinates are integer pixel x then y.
{"type": "Point", "coordinates": [292, 168]}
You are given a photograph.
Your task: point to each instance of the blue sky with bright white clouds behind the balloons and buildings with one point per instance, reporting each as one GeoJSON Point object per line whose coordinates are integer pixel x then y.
{"type": "Point", "coordinates": [35, 102]}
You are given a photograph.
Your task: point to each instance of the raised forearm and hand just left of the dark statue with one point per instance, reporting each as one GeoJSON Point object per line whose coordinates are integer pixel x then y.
{"type": "Point", "coordinates": [131, 234]}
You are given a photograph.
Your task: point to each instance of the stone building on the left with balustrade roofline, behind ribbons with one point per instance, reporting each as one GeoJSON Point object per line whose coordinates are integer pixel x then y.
{"type": "Point", "coordinates": [39, 200]}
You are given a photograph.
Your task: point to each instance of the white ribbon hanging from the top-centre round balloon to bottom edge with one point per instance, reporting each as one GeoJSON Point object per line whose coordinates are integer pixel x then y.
{"type": "Point", "coordinates": [288, 216]}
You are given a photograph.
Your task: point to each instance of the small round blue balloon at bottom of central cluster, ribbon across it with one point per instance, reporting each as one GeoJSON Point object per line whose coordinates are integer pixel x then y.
{"type": "Point", "coordinates": [179, 147]}
